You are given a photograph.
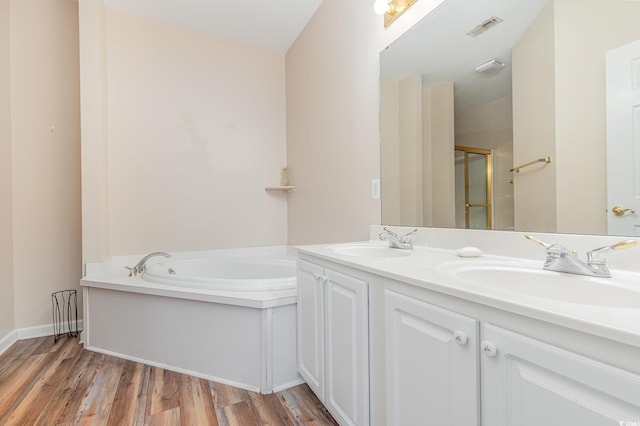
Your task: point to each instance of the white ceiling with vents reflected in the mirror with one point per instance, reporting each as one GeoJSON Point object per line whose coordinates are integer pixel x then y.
{"type": "Point", "coordinates": [439, 48]}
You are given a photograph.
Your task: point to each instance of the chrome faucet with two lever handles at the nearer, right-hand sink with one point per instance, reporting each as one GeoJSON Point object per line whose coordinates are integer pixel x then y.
{"type": "Point", "coordinates": [560, 259]}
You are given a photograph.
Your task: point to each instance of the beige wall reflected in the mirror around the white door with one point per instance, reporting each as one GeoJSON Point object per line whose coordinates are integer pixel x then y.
{"type": "Point", "coordinates": [580, 105]}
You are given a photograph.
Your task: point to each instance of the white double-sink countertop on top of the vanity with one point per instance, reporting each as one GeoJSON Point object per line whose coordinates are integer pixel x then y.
{"type": "Point", "coordinates": [421, 268]}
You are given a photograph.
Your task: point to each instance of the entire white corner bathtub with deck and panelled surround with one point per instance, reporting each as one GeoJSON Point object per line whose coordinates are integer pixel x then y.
{"type": "Point", "coordinates": [226, 315]}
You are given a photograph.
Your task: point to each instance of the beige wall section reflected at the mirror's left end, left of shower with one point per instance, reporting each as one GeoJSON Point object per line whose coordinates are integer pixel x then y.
{"type": "Point", "coordinates": [417, 125]}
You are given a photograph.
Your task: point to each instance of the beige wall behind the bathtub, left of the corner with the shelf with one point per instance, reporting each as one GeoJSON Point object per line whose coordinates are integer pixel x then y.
{"type": "Point", "coordinates": [193, 131]}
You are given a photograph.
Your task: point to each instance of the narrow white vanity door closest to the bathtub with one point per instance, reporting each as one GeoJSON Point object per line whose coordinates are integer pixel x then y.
{"type": "Point", "coordinates": [311, 326]}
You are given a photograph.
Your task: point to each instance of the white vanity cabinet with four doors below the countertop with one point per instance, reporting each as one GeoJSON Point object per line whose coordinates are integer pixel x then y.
{"type": "Point", "coordinates": [393, 350]}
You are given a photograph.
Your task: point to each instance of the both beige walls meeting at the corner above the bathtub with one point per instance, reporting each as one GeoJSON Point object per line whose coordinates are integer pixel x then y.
{"type": "Point", "coordinates": [179, 156]}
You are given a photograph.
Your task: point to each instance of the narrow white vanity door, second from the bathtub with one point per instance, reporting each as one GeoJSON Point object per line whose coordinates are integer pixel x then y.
{"type": "Point", "coordinates": [347, 344]}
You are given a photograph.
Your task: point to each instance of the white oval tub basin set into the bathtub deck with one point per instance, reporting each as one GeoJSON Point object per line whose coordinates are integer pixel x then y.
{"type": "Point", "coordinates": [226, 274]}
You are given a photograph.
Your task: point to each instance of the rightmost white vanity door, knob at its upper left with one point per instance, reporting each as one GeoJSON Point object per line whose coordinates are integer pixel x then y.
{"type": "Point", "coordinates": [528, 382]}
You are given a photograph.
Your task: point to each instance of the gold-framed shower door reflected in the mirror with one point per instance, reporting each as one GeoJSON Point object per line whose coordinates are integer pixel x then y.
{"type": "Point", "coordinates": [473, 184]}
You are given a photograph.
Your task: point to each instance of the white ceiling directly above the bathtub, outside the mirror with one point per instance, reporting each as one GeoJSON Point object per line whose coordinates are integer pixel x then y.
{"type": "Point", "coordinates": [267, 24]}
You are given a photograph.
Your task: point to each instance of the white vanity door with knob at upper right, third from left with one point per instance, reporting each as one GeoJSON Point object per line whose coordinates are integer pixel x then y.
{"type": "Point", "coordinates": [431, 364]}
